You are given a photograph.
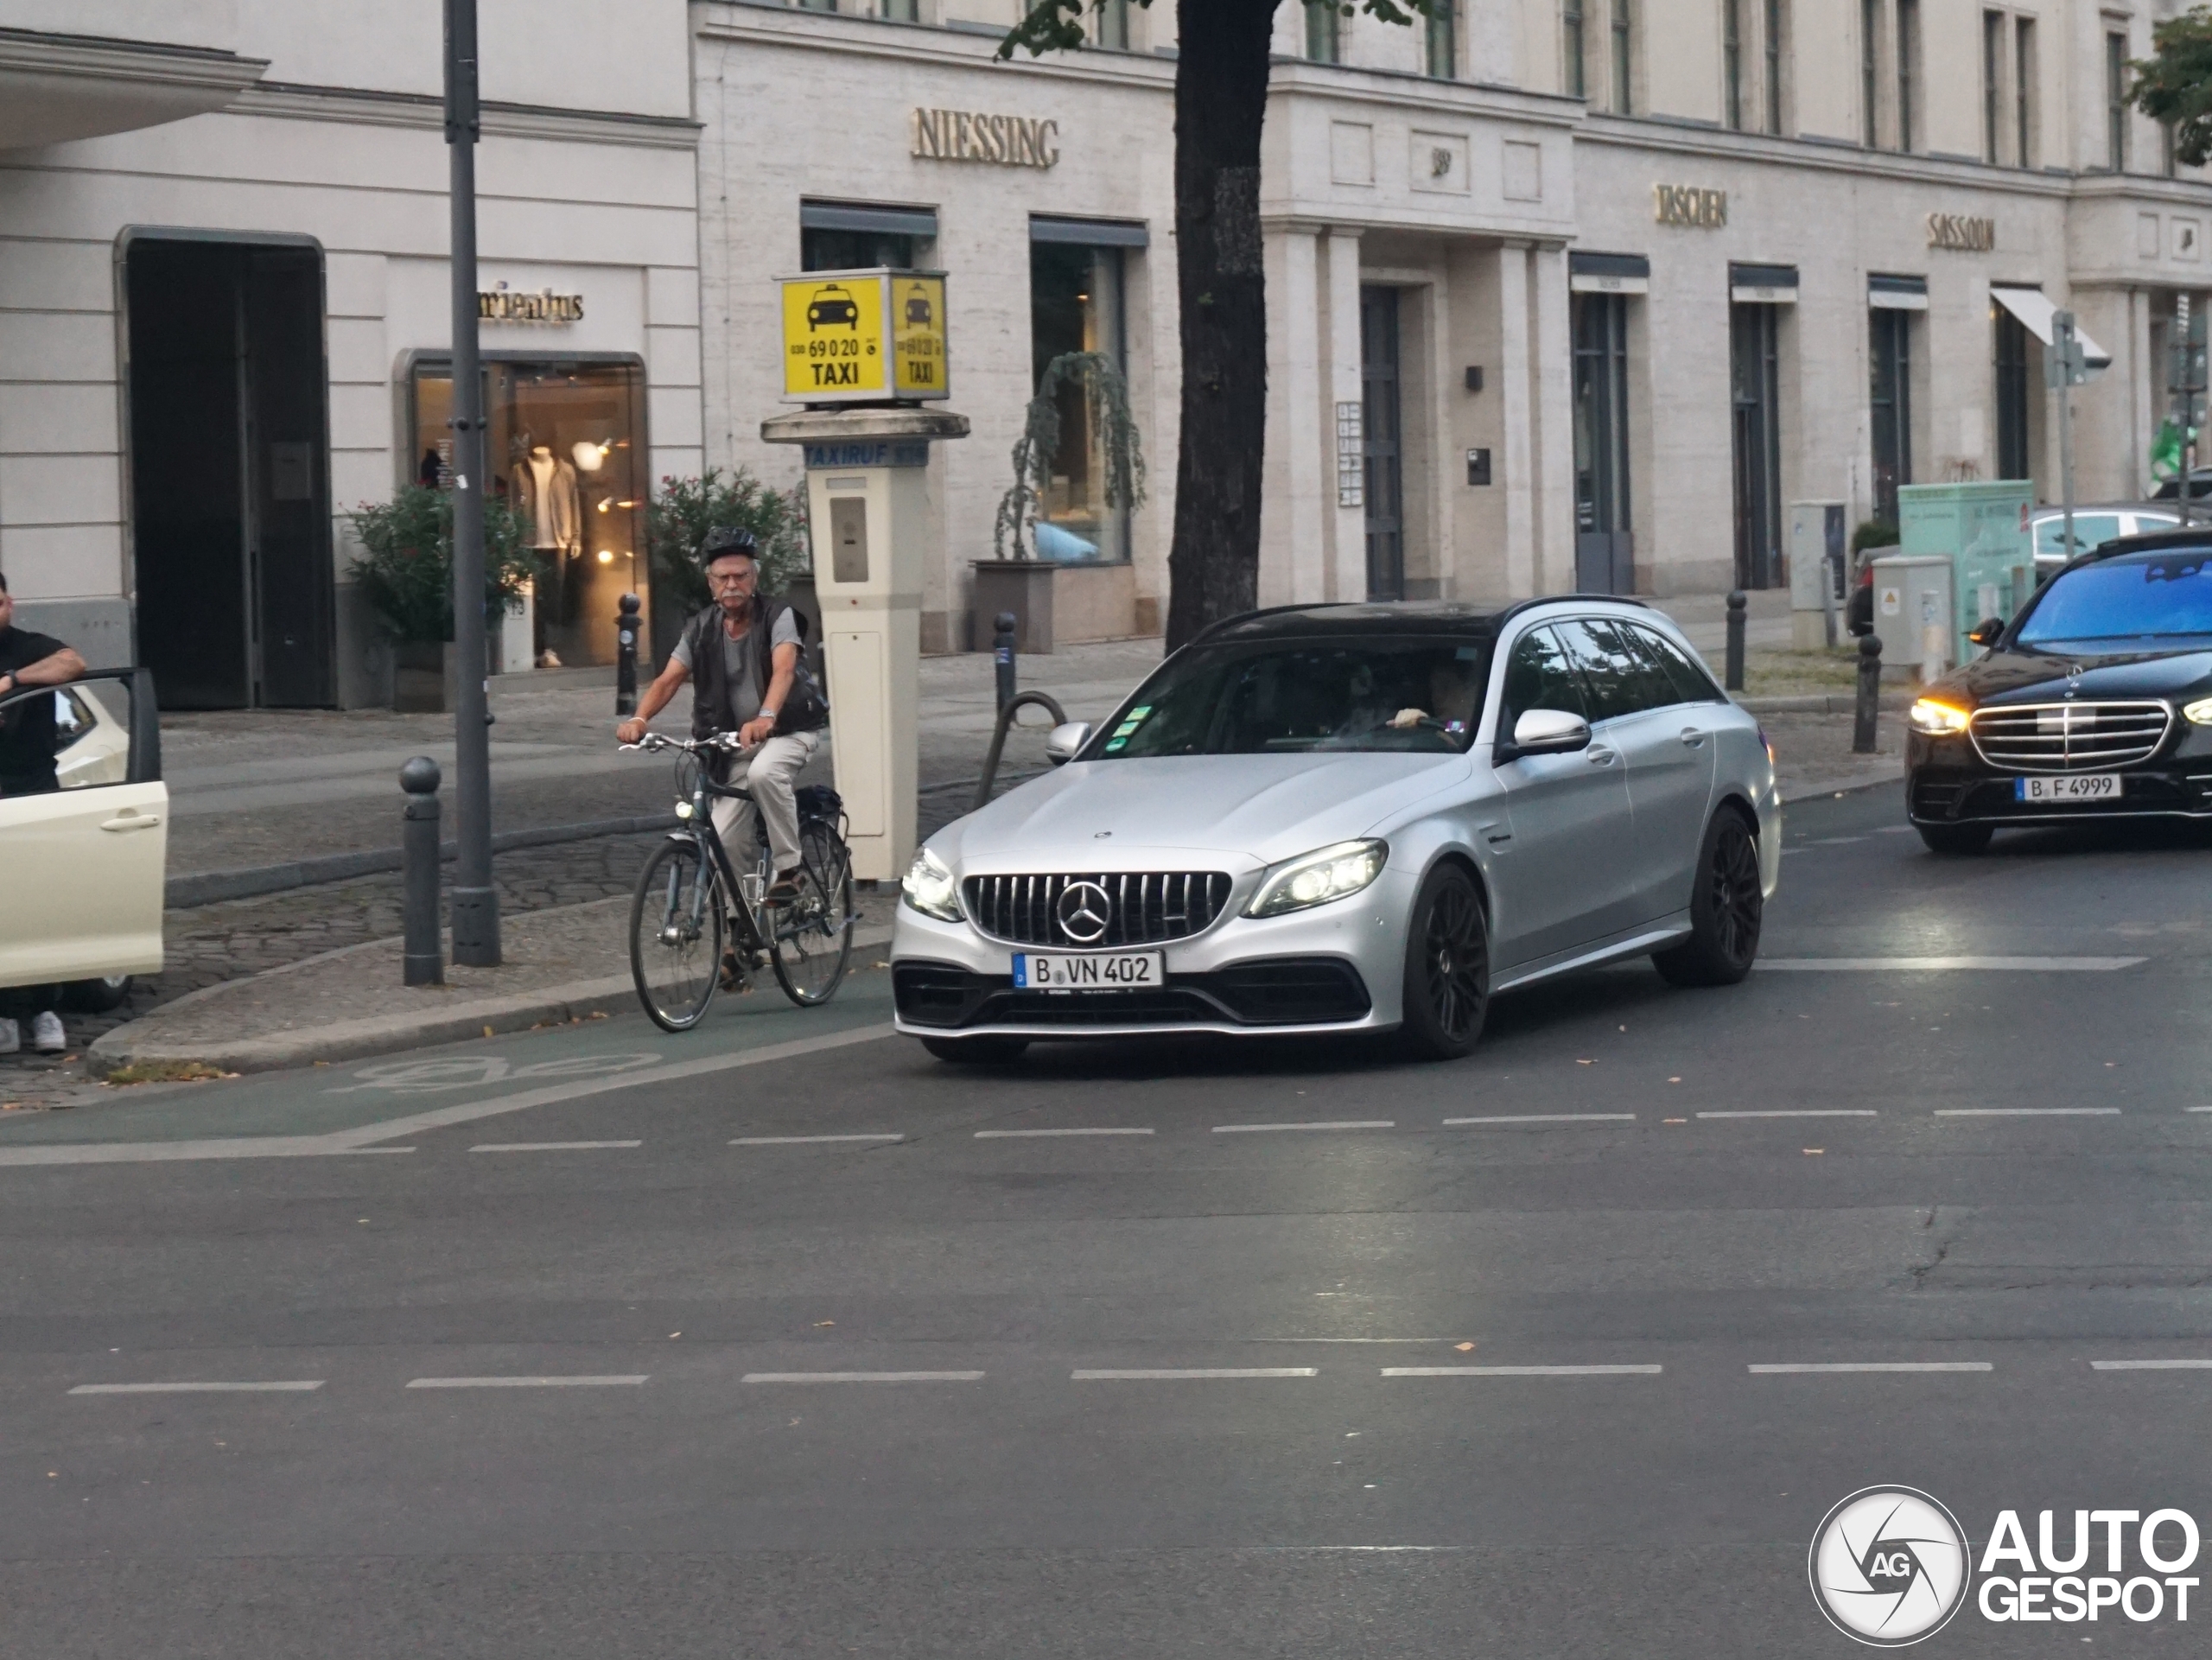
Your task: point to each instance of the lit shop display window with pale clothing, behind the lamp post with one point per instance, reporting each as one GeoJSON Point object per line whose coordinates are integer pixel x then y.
{"type": "Point", "coordinates": [567, 450]}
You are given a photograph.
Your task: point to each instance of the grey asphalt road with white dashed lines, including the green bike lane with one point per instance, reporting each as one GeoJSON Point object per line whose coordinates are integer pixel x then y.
{"type": "Point", "coordinates": [2003, 1176]}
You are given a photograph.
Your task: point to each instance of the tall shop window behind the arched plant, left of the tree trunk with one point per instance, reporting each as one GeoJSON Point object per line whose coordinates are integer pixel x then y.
{"type": "Point", "coordinates": [1076, 307]}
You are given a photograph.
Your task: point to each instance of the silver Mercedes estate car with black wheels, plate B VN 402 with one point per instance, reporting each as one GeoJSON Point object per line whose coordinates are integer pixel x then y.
{"type": "Point", "coordinates": [1355, 818]}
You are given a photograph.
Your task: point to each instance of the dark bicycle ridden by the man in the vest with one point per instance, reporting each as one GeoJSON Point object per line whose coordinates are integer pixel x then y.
{"type": "Point", "coordinates": [693, 906]}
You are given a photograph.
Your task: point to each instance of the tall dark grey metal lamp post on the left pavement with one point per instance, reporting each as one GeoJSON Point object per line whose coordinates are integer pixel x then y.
{"type": "Point", "coordinates": [477, 902]}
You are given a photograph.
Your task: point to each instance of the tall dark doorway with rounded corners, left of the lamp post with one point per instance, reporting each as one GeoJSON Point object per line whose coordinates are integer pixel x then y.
{"type": "Point", "coordinates": [231, 473]}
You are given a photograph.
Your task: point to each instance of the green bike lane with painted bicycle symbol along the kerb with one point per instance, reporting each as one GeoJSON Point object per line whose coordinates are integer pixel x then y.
{"type": "Point", "coordinates": [353, 1108]}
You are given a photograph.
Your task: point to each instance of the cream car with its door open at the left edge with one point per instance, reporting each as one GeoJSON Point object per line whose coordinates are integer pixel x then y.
{"type": "Point", "coordinates": [85, 864]}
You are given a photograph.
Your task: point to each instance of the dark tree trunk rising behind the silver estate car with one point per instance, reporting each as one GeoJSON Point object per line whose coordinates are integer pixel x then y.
{"type": "Point", "coordinates": [1220, 105]}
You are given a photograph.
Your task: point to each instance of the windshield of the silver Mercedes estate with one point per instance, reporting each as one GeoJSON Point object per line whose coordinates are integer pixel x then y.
{"type": "Point", "coordinates": [1308, 696]}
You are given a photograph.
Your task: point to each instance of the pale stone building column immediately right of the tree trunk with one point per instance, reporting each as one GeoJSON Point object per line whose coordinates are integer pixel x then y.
{"type": "Point", "coordinates": [1291, 566]}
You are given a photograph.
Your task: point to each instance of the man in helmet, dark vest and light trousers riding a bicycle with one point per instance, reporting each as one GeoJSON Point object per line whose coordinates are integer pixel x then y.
{"type": "Point", "coordinates": [744, 661]}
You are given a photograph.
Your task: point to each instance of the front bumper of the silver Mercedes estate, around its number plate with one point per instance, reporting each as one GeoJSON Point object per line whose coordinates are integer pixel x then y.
{"type": "Point", "coordinates": [1333, 968]}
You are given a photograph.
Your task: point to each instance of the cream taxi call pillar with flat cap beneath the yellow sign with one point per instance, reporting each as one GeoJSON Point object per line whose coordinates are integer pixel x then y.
{"type": "Point", "coordinates": [870, 526]}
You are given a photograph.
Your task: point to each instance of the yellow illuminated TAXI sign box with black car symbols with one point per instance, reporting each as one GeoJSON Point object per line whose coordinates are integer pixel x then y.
{"type": "Point", "coordinates": [864, 335]}
